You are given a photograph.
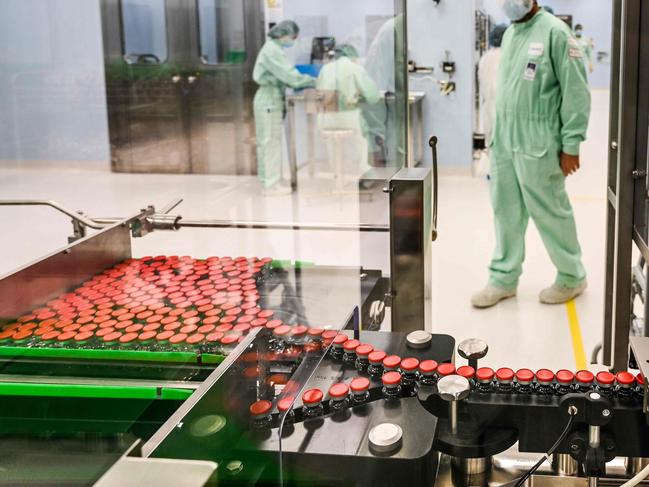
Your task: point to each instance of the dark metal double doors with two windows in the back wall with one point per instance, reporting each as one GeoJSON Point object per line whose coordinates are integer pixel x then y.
{"type": "Point", "coordinates": [179, 84]}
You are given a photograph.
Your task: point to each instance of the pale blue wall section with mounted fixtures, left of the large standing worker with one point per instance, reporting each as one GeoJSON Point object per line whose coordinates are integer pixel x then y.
{"type": "Point", "coordinates": [432, 30]}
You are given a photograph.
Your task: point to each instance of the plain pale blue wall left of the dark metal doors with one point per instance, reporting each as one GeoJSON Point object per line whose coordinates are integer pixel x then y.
{"type": "Point", "coordinates": [52, 100]}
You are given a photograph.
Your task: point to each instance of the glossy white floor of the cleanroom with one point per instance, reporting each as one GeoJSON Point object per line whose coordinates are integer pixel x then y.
{"type": "Point", "coordinates": [521, 332]}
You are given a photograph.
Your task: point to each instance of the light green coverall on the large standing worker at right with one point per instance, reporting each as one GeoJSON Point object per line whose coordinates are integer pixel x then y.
{"type": "Point", "coordinates": [543, 109]}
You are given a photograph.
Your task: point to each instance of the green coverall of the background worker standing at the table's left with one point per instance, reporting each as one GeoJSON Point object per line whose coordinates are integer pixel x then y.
{"type": "Point", "coordinates": [273, 73]}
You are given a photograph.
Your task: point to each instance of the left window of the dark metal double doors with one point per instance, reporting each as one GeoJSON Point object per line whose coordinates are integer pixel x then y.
{"type": "Point", "coordinates": [145, 31]}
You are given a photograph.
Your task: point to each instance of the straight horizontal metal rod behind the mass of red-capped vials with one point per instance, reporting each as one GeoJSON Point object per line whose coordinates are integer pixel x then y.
{"type": "Point", "coordinates": [256, 225]}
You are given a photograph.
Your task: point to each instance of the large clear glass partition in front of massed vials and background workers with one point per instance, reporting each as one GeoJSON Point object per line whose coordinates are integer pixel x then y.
{"type": "Point", "coordinates": [279, 144]}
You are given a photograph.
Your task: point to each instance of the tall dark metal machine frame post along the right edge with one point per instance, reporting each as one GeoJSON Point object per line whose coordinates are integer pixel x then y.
{"type": "Point", "coordinates": [627, 178]}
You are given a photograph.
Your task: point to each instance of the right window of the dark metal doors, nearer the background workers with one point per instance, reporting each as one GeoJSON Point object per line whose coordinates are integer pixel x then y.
{"type": "Point", "coordinates": [222, 31]}
